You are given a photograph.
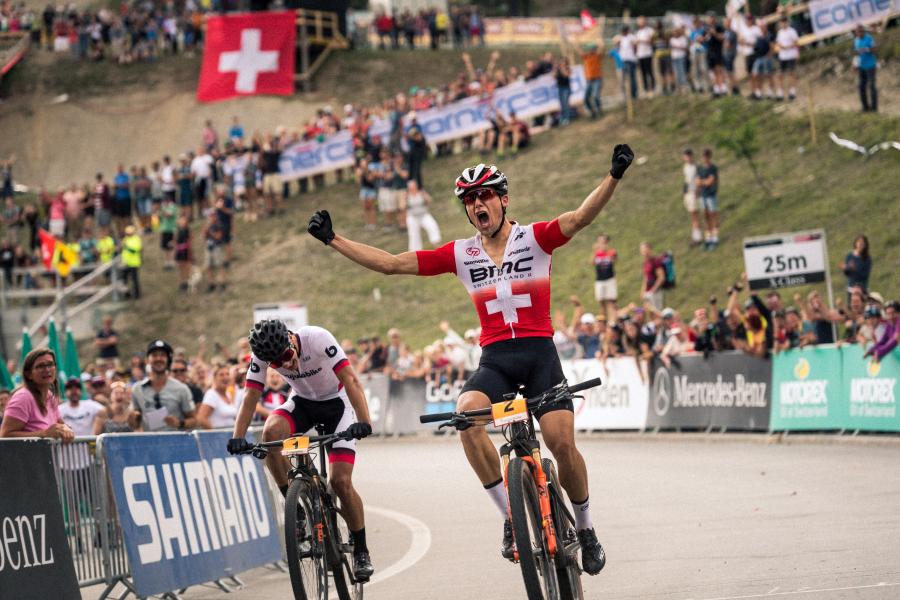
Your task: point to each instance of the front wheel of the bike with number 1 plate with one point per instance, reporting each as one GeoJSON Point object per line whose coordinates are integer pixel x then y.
{"type": "Point", "coordinates": [303, 522]}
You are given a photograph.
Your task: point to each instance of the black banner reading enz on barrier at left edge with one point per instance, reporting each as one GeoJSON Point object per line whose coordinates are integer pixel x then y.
{"type": "Point", "coordinates": [35, 561]}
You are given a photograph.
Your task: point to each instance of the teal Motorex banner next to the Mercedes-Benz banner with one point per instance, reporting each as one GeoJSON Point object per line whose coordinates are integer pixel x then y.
{"type": "Point", "coordinates": [807, 390]}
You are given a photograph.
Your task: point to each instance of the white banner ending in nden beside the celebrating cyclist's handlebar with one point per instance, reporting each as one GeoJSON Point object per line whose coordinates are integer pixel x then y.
{"type": "Point", "coordinates": [620, 403]}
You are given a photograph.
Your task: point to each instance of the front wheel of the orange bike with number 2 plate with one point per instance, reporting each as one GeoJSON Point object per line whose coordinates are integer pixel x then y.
{"type": "Point", "coordinates": [538, 570]}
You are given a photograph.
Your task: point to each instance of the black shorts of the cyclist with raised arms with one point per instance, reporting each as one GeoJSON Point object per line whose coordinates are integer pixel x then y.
{"type": "Point", "coordinates": [505, 365]}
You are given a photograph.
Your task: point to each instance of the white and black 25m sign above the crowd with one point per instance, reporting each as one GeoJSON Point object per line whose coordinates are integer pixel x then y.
{"type": "Point", "coordinates": [785, 260]}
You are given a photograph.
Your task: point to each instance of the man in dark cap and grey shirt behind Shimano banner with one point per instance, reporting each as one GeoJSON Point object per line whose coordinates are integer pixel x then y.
{"type": "Point", "coordinates": [163, 402]}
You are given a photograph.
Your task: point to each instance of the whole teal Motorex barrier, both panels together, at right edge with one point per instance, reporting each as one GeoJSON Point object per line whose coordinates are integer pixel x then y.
{"type": "Point", "coordinates": [828, 387]}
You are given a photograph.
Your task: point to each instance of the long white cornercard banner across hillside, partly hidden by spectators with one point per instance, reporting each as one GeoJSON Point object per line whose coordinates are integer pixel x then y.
{"type": "Point", "coordinates": [453, 121]}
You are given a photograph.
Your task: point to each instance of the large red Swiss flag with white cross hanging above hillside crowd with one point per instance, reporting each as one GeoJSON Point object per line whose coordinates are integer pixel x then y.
{"type": "Point", "coordinates": [248, 54]}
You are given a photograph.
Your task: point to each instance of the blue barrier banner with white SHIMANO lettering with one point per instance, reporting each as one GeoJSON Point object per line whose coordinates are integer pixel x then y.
{"type": "Point", "coordinates": [189, 512]}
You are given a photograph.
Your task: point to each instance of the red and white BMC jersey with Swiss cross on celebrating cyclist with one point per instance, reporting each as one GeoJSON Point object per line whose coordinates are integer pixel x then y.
{"type": "Point", "coordinates": [513, 299]}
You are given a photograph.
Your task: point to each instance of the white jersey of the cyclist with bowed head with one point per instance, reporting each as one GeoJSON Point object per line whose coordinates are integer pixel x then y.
{"type": "Point", "coordinates": [321, 359]}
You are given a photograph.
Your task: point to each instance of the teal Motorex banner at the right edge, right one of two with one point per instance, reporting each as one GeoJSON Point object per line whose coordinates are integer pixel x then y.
{"type": "Point", "coordinates": [870, 389]}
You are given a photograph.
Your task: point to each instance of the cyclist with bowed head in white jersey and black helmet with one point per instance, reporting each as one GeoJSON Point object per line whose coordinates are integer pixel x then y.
{"type": "Point", "coordinates": [326, 390]}
